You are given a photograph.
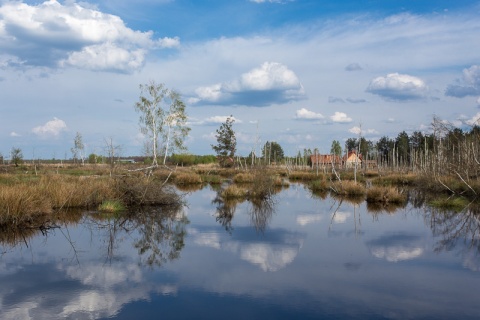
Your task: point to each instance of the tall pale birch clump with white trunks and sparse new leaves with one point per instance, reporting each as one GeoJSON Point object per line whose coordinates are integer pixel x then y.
{"type": "Point", "coordinates": [162, 119]}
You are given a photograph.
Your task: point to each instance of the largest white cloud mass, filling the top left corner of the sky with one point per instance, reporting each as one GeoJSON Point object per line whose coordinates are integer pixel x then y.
{"type": "Point", "coordinates": [73, 34]}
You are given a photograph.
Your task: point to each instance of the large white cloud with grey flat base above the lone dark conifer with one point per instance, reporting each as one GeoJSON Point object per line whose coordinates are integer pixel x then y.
{"type": "Point", "coordinates": [271, 83]}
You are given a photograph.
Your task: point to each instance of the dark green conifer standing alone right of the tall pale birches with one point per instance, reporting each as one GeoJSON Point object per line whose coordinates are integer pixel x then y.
{"type": "Point", "coordinates": [226, 143]}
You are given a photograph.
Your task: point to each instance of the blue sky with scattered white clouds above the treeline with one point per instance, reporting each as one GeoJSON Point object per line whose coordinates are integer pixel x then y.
{"type": "Point", "coordinates": [299, 72]}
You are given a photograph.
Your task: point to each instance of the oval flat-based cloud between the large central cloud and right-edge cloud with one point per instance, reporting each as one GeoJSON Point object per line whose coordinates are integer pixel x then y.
{"type": "Point", "coordinates": [398, 87]}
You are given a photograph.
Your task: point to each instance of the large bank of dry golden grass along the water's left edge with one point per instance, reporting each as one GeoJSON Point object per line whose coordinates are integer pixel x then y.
{"type": "Point", "coordinates": [23, 201]}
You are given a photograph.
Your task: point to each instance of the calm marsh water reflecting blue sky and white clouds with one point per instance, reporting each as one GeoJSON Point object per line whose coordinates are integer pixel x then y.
{"type": "Point", "coordinates": [301, 256]}
